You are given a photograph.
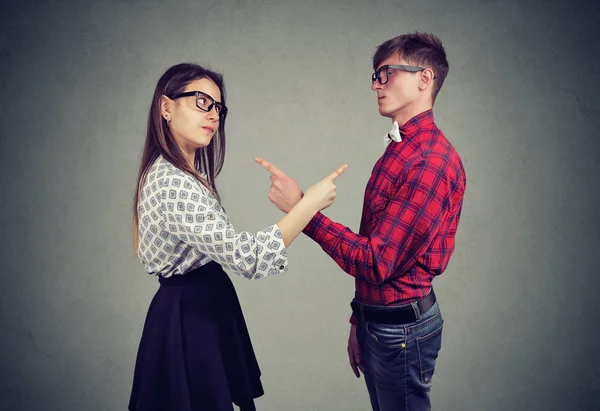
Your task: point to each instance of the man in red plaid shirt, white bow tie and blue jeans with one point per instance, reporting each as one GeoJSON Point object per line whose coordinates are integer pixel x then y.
{"type": "Point", "coordinates": [411, 210]}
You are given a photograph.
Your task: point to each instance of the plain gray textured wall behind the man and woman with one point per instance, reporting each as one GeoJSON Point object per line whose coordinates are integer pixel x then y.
{"type": "Point", "coordinates": [521, 105]}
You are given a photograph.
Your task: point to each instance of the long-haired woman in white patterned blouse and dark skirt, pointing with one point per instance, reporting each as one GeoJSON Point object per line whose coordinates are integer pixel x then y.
{"type": "Point", "coordinates": [195, 352]}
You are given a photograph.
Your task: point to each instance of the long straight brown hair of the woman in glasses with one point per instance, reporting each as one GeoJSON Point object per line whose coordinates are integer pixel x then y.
{"type": "Point", "coordinates": [159, 139]}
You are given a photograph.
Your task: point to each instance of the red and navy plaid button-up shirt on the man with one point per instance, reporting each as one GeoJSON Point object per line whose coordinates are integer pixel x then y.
{"type": "Point", "coordinates": [411, 210]}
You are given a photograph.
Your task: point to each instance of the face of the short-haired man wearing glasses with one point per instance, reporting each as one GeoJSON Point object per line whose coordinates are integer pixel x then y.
{"type": "Point", "coordinates": [400, 91]}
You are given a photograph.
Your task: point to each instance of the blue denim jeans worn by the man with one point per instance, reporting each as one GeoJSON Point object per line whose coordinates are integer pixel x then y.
{"type": "Point", "coordinates": [398, 361]}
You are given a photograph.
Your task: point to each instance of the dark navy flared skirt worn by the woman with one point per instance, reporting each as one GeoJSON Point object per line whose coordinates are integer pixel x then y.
{"type": "Point", "coordinates": [195, 352]}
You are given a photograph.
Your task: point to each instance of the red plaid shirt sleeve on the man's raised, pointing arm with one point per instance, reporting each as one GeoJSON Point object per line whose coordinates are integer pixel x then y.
{"type": "Point", "coordinates": [404, 231]}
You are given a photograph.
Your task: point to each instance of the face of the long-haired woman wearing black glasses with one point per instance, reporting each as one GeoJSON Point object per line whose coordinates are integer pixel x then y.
{"type": "Point", "coordinates": [192, 128]}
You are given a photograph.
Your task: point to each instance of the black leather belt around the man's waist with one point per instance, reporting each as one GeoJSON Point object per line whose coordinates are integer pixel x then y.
{"type": "Point", "coordinates": [401, 314]}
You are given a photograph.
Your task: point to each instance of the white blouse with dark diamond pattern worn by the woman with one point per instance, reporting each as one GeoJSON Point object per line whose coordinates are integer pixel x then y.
{"type": "Point", "coordinates": [182, 226]}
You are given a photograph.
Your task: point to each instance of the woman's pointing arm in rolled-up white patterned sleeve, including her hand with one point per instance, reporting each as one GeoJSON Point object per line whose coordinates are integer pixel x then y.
{"type": "Point", "coordinates": [192, 215]}
